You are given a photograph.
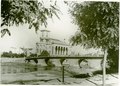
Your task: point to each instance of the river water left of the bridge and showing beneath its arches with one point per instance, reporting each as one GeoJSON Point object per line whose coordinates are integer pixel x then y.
{"type": "Point", "coordinates": [18, 65]}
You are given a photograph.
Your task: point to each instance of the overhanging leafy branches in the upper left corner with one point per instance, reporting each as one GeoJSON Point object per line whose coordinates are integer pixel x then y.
{"type": "Point", "coordinates": [32, 12]}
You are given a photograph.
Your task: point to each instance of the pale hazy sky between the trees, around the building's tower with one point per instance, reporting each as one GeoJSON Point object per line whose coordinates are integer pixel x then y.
{"type": "Point", "coordinates": [21, 36]}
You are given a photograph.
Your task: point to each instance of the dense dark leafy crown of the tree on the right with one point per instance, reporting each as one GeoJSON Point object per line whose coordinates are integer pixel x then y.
{"type": "Point", "coordinates": [98, 26]}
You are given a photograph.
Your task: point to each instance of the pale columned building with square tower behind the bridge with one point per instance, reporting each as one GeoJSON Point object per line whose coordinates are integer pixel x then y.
{"type": "Point", "coordinates": [55, 47]}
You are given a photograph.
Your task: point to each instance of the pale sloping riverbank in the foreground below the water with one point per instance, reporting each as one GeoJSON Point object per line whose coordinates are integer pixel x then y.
{"type": "Point", "coordinates": [36, 78]}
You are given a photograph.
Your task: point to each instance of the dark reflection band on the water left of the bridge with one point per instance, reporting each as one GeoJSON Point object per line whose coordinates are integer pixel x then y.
{"type": "Point", "coordinates": [12, 68]}
